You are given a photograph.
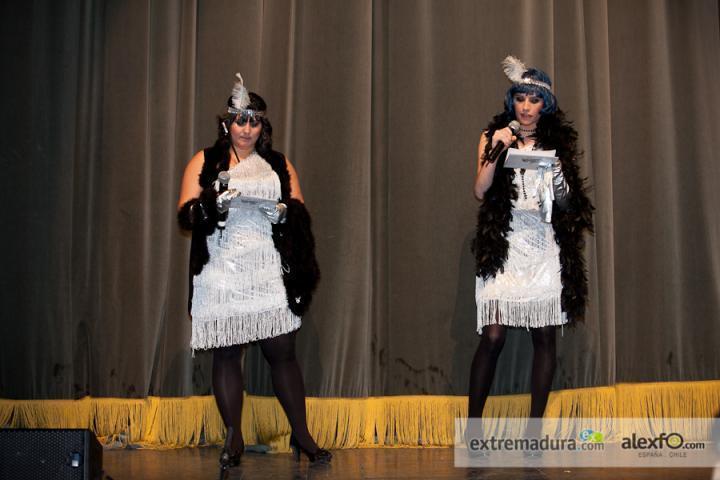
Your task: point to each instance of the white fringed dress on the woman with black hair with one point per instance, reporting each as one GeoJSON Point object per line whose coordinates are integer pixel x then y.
{"type": "Point", "coordinates": [239, 296]}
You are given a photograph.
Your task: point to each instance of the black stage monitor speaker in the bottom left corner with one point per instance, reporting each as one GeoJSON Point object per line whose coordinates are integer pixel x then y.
{"type": "Point", "coordinates": [52, 454]}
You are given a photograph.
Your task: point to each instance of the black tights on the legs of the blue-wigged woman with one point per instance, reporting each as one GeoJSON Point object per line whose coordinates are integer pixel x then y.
{"type": "Point", "coordinates": [482, 370]}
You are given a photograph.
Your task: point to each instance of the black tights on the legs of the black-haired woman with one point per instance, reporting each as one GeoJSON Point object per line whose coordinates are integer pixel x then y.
{"type": "Point", "coordinates": [287, 382]}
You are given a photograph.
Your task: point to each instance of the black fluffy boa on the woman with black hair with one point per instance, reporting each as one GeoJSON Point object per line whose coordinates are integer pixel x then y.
{"type": "Point", "coordinates": [293, 239]}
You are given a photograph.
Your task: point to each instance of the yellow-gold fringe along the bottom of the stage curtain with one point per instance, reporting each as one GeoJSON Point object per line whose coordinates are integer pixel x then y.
{"type": "Point", "coordinates": [396, 420]}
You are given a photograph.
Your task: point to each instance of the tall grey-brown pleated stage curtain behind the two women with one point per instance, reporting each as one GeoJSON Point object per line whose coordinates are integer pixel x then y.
{"type": "Point", "coordinates": [380, 105]}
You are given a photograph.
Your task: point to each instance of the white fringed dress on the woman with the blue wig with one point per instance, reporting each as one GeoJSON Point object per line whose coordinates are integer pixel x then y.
{"type": "Point", "coordinates": [527, 293]}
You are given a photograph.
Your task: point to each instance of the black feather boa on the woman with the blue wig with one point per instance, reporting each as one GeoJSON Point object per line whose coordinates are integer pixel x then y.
{"type": "Point", "coordinates": [570, 225]}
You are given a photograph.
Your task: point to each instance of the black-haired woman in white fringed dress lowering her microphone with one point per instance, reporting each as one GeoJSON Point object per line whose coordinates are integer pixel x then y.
{"type": "Point", "coordinates": [252, 265]}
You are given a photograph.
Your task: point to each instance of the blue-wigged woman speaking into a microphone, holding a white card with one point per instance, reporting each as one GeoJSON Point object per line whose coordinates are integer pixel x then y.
{"type": "Point", "coordinates": [530, 270]}
